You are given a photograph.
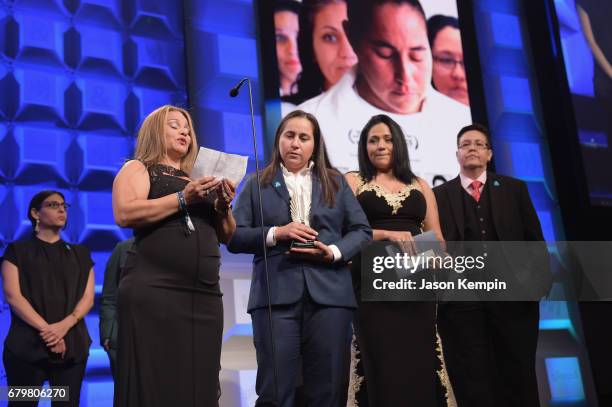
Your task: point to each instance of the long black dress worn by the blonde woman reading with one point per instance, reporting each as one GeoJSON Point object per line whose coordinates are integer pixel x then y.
{"type": "Point", "coordinates": [170, 309]}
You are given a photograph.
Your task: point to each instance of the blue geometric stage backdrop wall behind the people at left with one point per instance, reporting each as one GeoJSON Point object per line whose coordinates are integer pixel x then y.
{"type": "Point", "coordinates": [76, 79]}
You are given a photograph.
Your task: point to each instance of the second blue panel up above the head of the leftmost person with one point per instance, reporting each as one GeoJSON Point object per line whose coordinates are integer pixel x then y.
{"type": "Point", "coordinates": [41, 95]}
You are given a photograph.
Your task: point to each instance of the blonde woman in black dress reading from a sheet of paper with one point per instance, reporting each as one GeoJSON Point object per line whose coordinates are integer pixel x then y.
{"type": "Point", "coordinates": [170, 310]}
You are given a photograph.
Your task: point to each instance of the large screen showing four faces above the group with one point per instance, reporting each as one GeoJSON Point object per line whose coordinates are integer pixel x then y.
{"type": "Point", "coordinates": [388, 59]}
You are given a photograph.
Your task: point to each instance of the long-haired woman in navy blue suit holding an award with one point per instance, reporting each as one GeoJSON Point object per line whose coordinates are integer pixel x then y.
{"type": "Point", "coordinates": [310, 288]}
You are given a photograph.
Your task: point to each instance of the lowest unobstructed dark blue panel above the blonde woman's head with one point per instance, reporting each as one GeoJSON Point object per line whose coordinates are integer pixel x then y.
{"type": "Point", "coordinates": [155, 63]}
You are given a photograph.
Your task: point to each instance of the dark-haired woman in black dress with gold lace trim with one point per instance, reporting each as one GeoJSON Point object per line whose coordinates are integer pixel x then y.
{"type": "Point", "coordinates": [396, 340]}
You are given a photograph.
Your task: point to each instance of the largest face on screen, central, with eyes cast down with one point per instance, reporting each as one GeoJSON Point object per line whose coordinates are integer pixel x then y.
{"type": "Point", "coordinates": [395, 59]}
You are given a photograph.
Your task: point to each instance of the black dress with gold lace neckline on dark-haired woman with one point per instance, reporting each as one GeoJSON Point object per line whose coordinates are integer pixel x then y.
{"type": "Point", "coordinates": [396, 340]}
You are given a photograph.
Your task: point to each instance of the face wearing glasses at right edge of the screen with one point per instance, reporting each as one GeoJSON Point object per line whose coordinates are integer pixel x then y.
{"type": "Point", "coordinates": [448, 68]}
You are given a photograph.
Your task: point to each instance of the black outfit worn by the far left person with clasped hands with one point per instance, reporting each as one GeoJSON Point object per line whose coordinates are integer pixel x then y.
{"type": "Point", "coordinates": [52, 278]}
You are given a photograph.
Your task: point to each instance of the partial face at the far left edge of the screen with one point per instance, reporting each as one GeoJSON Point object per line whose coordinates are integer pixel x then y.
{"type": "Point", "coordinates": [286, 28]}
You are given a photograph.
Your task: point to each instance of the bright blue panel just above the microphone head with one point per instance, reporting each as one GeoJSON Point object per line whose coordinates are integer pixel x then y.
{"type": "Point", "coordinates": [237, 56]}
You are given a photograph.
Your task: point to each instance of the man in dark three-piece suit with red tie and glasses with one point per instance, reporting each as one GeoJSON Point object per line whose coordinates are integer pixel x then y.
{"type": "Point", "coordinates": [489, 347]}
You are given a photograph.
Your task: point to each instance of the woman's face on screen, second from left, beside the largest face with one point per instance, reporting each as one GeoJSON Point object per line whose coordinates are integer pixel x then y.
{"type": "Point", "coordinates": [333, 53]}
